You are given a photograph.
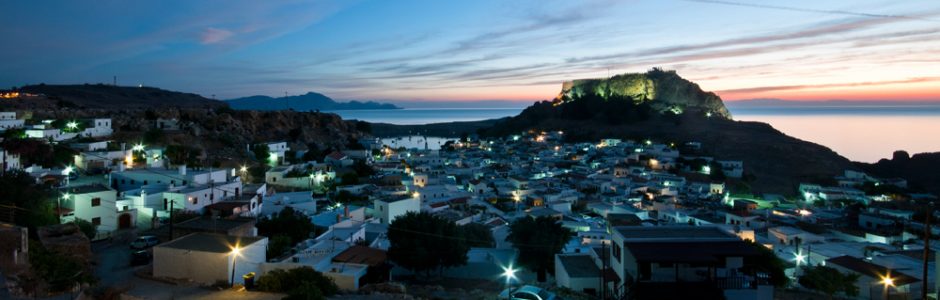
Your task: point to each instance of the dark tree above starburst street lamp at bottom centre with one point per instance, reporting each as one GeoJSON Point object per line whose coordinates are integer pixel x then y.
{"type": "Point", "coordinates": [538, 240]}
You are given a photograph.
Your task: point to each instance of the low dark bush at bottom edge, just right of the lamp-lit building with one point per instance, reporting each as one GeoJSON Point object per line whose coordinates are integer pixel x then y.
{"type": "Point", "coordinates": [298, 283]}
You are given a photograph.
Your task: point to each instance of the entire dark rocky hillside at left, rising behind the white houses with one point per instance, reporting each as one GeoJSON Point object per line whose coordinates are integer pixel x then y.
{"type": "Point", "coordinates": [219, 133]}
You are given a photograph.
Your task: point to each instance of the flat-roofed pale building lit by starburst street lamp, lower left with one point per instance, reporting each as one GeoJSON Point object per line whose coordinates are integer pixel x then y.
{"type": "Point", "coordinates": [208, 258]}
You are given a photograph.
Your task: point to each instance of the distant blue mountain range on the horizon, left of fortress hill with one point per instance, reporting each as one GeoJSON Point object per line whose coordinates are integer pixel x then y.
{"type": "Point", "coordinates": [307, 102]}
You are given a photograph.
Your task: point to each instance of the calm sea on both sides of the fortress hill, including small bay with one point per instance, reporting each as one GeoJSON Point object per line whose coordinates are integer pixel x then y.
{"type": "Point", "coordinates": [860, 133]}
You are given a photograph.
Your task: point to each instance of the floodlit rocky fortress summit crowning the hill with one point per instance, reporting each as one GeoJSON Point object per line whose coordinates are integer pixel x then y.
{"type": "Point", "coordinates": [664, 91]}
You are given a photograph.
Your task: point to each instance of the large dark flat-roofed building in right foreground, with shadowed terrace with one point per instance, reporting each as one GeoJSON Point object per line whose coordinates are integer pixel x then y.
{"type": "Point", "coordinates": [660, 265]}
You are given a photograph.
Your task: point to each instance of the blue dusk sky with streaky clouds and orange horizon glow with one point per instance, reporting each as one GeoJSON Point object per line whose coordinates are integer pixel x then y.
{"type": "Point", "coordinates": [477, 50]}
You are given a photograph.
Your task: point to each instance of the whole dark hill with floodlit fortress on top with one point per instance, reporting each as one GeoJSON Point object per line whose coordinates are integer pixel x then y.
{"type": "Point", "coordinates": [661, 106]}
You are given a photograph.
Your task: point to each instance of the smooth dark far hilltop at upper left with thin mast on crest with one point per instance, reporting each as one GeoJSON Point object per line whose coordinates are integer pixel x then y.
{"type": "Point", "coordinates": [116, 97]}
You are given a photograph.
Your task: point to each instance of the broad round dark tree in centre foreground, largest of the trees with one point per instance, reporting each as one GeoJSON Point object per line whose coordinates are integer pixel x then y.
{"type": "Point", "coordinates": [422, 242]}
